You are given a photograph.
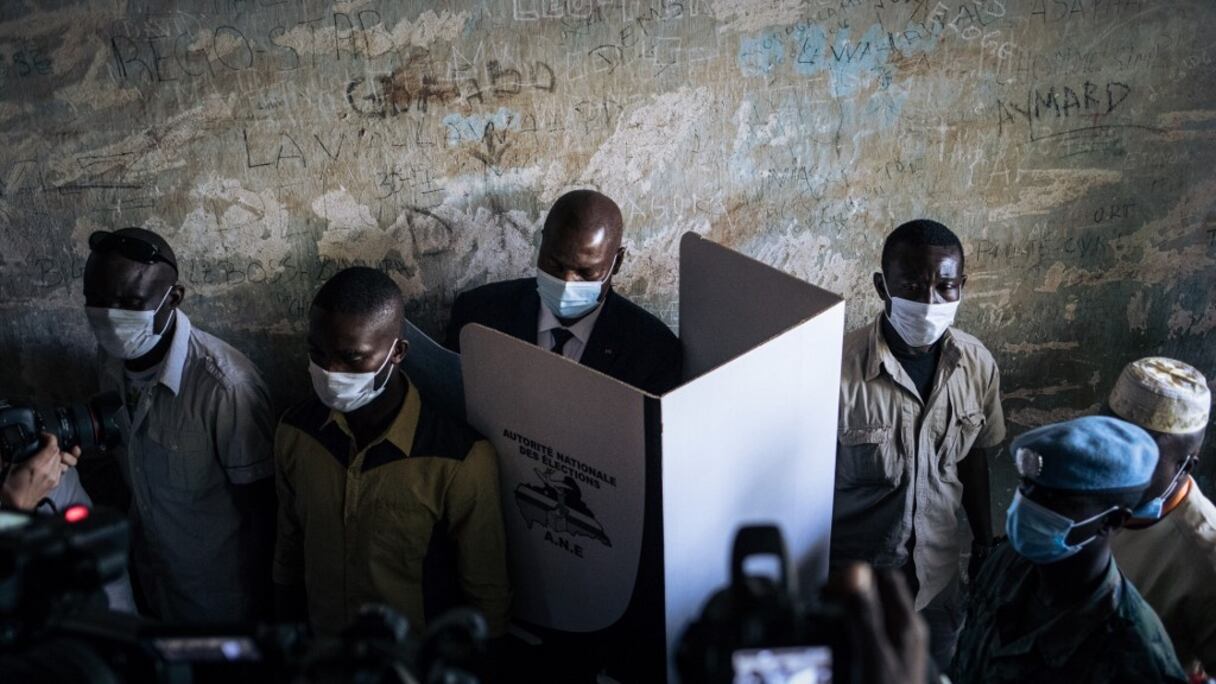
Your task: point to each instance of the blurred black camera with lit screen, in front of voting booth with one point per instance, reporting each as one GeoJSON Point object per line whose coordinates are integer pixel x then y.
{"type": "Point", "coordinates": [756, 631]}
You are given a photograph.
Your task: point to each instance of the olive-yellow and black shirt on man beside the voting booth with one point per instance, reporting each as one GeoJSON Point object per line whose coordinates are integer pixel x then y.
{"type": "Point", "coordinates": [414, 520]}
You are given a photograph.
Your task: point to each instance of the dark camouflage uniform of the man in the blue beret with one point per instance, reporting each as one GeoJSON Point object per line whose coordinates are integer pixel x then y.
{"type": "Point", "coordinates": [1110, 636]}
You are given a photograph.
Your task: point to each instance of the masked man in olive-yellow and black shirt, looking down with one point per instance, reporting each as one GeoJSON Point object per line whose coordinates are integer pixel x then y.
{"type": "Point", "coordinates": [381, 498]}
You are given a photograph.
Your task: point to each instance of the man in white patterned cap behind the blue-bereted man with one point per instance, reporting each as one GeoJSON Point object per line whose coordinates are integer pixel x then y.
{"type": "Point", "coordinates": [1168, 550]}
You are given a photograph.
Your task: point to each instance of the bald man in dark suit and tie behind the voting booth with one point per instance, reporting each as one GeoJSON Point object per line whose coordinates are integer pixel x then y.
{"type": "Point", "coordinates": [571, 309]}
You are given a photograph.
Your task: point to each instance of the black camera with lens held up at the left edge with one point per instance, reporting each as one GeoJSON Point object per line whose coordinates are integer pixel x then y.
{"type": "Point", "coordinates": [89, 425]}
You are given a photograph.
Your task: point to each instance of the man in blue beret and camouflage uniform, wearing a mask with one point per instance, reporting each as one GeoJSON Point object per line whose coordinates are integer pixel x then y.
{"type": "Point", "coordinates": [1052, 605]}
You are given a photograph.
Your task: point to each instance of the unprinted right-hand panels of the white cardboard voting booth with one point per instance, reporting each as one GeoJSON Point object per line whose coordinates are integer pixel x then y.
{"type": "Point", "coordinates": [752, 438]}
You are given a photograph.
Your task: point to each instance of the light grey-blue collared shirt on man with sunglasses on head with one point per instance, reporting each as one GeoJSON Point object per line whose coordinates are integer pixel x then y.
{"type": "Point", "coordinates": [202, 427]}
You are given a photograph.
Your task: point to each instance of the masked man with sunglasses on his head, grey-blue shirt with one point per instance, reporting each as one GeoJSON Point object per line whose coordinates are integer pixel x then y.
{"type": "Point", "coordinates": [196, 433]}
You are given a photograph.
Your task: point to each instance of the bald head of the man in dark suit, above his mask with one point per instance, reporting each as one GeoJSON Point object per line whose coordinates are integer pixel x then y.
{"type": "Point", "coordinates": [582, 238]}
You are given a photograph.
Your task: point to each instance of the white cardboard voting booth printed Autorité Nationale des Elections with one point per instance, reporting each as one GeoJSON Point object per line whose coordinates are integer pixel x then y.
{"type": "Point", "coordinates": [621, 507]}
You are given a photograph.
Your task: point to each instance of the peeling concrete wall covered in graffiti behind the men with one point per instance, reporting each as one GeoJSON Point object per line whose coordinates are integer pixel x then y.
{"type": "Point", "coordinates": [1071, 143]}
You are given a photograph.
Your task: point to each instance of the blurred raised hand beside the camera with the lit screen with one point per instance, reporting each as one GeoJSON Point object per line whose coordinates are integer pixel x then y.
{"type": "Point", "coordinates": [891, 641]}
